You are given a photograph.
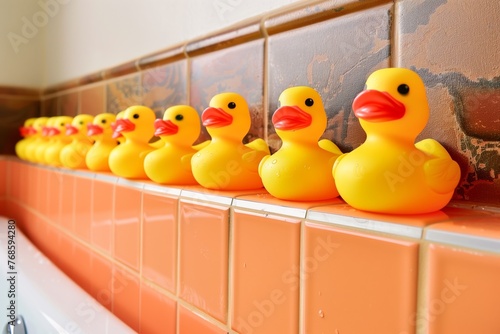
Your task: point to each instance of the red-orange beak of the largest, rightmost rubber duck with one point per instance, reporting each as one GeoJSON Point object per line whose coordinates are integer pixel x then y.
{"type": "Point", "coordinates": [376, 106]}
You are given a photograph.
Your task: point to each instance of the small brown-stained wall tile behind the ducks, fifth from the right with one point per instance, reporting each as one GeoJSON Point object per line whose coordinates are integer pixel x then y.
{"type": "Point", "coordinates": [123, 93]}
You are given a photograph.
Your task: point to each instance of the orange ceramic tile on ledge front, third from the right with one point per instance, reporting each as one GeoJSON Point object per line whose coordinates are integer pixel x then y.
{"type": "Point", "coordinates": [265, 252]}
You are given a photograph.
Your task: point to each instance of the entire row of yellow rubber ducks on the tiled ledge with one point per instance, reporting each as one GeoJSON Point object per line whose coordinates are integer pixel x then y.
{"type": "Point", "coordinates": [388, 173]}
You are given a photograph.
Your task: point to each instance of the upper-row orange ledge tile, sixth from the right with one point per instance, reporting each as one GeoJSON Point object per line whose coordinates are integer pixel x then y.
{"type": "Point", "coordinates": [127, 225]}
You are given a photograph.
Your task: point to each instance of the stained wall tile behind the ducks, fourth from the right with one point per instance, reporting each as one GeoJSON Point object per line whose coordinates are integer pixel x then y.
{"type": "Point", "coordinates": [165, 86]}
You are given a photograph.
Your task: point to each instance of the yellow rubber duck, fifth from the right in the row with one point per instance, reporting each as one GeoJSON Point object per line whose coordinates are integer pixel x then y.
{"type": "Point", "coordinates": [137, 126]}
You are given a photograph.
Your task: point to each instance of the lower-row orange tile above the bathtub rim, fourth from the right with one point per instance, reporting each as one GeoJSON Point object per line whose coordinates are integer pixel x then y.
{"type": "Point", "coordinates": [101, 281]}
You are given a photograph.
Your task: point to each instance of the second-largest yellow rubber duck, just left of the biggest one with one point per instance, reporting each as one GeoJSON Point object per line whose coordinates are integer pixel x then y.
{"type": "Point", "coordinates": [301, 170]}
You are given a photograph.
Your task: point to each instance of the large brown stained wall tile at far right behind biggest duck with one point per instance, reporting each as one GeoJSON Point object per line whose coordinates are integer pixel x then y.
{"type": "Point", "coordinates": [463, 86]}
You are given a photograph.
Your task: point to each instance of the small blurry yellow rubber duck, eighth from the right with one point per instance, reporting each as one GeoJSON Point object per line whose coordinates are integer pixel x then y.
{"type": "Point", "coordinates": [58, 139]}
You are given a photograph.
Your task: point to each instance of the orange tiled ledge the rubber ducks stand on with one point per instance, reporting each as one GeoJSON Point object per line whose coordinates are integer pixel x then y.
{"type": "Point", "coordinates": [188, 260]}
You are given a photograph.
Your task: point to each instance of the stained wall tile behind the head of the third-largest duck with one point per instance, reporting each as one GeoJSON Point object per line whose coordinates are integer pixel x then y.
{"type": "Point", "coordinates": [224, 71]}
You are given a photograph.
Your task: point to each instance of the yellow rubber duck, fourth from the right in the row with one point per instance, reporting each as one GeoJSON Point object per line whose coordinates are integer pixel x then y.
{"type": "Point", "coordinates": [171, 163]}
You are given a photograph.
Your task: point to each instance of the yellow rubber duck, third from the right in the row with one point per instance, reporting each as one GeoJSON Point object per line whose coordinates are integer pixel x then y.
{"type": "Point", "coordinates": [226, 163]}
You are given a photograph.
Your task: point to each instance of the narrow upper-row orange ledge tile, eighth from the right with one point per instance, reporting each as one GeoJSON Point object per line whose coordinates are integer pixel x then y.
{"type": "Point", "coordinates": [83, 205]}
